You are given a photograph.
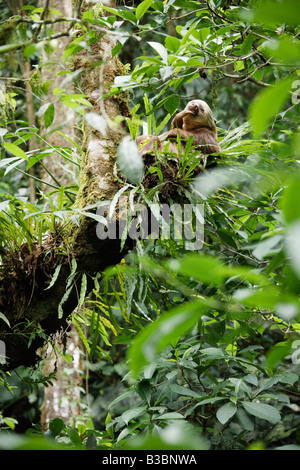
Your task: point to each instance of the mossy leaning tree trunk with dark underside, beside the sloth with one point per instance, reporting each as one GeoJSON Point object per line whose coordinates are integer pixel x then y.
{"type": "Point", "coordinates": [25, 299]}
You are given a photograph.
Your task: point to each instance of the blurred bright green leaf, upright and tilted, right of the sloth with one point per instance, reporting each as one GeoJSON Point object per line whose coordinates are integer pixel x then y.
{"type": "Point", "coordinates": [267, 104]}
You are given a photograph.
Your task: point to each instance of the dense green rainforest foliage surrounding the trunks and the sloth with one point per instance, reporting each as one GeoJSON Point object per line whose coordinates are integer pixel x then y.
{"type": "Point", "coordinates": [207, 341]}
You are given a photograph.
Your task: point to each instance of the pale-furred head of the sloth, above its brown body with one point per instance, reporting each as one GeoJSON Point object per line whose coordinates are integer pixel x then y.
{"type": "Point", "coordinates": [198, 114]}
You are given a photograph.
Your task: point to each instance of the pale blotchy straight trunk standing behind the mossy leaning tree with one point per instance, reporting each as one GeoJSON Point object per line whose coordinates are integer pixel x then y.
{"type": "Point", "coordinates": [63, 398]}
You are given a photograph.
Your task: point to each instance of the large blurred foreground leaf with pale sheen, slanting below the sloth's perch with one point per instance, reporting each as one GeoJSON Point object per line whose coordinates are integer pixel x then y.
{"type": "Point", "coordinates": [159, 334]}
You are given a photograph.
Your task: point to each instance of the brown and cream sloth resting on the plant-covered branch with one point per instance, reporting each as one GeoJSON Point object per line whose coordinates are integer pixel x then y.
{"type": "Point", "coordinates": [195, 120]}
